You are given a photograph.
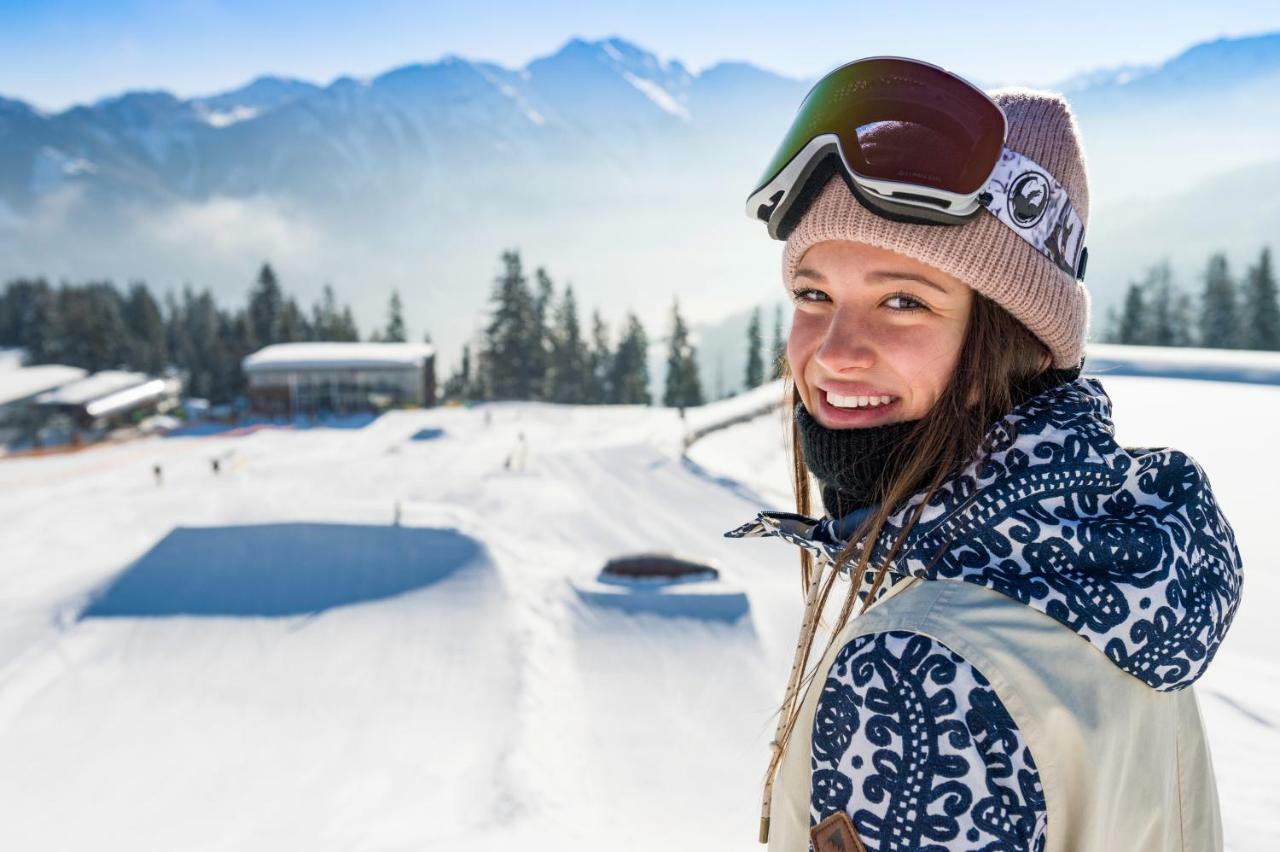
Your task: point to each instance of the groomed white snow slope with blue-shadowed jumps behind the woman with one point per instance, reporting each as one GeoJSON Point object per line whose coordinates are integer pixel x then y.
{"type": "Point", "coordinates": [456, 693]}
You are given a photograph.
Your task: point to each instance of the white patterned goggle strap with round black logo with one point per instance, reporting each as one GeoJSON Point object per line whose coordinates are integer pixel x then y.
{"type": "Point", "coordinates": [1034, 204]}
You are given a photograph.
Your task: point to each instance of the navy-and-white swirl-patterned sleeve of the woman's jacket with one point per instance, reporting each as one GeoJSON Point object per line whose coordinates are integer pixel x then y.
{"type": "Point", "coordinates": [915, 745]}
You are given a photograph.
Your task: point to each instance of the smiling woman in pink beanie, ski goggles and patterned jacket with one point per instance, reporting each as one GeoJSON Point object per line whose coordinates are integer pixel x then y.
{"type": "Point", "coordinates": [977, 503]}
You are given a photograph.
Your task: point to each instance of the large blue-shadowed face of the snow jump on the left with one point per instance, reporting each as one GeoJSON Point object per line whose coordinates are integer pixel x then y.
{"type": "Point", "coordinates": [284, 570]}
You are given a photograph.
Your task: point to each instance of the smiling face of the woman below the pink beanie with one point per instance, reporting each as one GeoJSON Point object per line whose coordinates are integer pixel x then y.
{"type": "Point", "coordinates": [872, 324]}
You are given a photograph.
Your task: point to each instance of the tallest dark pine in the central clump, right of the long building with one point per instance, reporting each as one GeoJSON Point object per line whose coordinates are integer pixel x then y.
{"type": "Point", "coordinates": [511, 336]}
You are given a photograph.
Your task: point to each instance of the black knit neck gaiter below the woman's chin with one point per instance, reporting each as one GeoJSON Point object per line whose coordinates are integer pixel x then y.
{"type": "Point", "coordinates": [853, 464]}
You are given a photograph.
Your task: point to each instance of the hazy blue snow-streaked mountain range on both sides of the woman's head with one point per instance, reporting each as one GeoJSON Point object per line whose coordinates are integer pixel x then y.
{"type": "Point", "coordinates": [620, 172]}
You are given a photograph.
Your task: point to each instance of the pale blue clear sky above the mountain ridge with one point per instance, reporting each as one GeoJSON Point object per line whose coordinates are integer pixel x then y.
{"type": "Point", "coordinates": [60, 53]}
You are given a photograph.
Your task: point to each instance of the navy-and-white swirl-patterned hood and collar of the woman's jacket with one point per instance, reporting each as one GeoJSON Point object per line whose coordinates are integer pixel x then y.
{"type": "Point", "coordinates": [1126, 547]}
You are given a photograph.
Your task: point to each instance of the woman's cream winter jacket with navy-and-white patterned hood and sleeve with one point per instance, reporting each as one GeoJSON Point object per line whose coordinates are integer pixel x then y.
{"type": "Point", "coordinates": [964, 712]}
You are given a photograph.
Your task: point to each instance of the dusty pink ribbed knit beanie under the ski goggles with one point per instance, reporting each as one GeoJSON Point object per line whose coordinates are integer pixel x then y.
{"type": "Point", "coordinates": [984, 254]}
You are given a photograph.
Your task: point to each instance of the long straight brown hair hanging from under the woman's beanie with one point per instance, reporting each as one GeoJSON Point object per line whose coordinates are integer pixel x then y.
{"type": "Point", "coordinates": [999, 354]}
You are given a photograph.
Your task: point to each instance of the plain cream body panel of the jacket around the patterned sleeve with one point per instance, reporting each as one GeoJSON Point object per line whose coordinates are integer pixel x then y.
{"type": "Point", "coordinates": [1123, 767]}
